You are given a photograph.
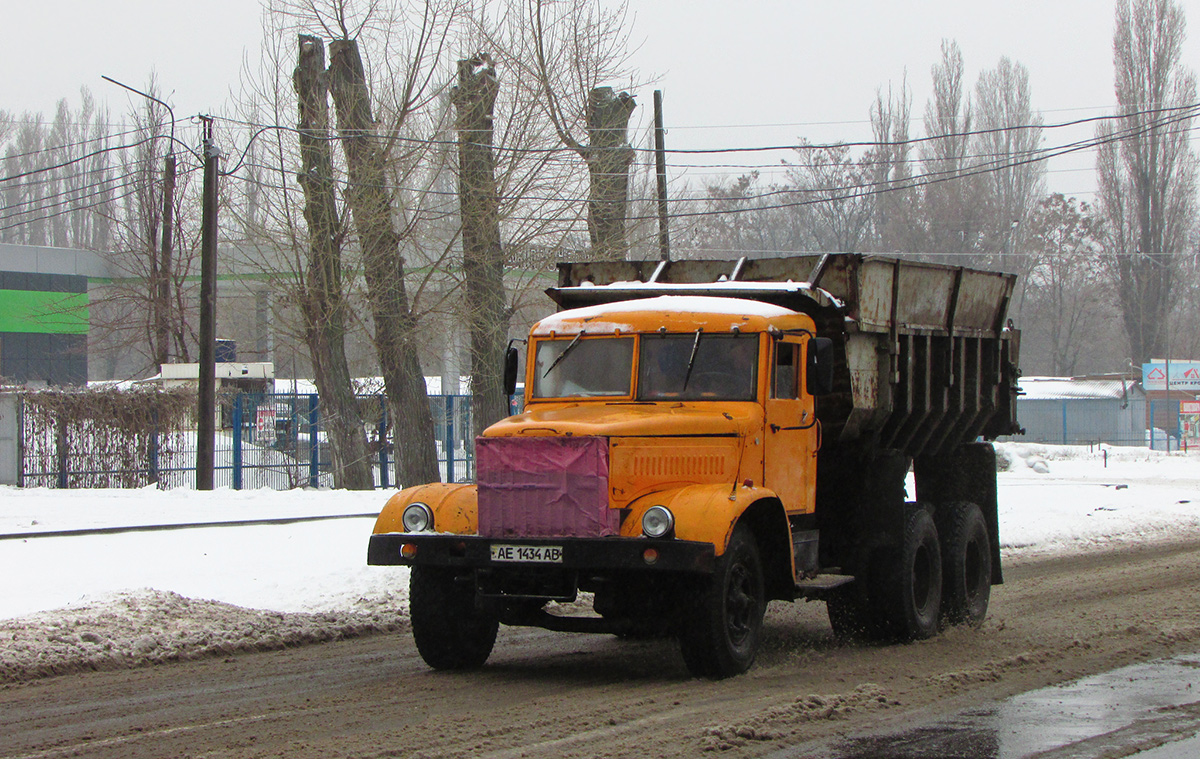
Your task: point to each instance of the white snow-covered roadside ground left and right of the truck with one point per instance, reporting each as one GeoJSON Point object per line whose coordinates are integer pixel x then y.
{"type": "Point", "coordinates": [122, 600]}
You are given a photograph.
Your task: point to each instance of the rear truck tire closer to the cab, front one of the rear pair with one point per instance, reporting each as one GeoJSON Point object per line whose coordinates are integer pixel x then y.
{"type": "Point", "coordinates": [916, 596]}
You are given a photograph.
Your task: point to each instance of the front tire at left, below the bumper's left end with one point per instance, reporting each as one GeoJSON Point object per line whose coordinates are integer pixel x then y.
{"type": "Point", "coordinates": [449, 631]}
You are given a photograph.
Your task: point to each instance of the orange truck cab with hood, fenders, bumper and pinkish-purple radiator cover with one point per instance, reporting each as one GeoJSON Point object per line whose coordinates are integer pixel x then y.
{"type": "Point", "coordinates": [655, 433]}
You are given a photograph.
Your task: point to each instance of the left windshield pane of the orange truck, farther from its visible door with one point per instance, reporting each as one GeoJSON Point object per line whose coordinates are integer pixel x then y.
{"type": "Point", "coordinates": [584, 368]}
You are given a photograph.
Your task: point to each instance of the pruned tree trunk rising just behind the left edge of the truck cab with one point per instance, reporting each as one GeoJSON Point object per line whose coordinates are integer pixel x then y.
{"type": "Point", "coordinates": [483, 258]}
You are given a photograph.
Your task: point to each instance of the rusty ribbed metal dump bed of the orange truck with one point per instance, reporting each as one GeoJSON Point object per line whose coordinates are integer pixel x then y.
{"type": "Point", "coordinates": [926, 358]}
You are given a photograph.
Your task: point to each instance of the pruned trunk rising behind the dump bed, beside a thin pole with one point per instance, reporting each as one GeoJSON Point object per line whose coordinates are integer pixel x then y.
{"type": "Point", "coordinates": [609, 157]}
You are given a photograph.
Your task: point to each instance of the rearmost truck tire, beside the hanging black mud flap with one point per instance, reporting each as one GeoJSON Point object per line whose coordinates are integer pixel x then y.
{"type": "Point", "coordinates": [967, 566]}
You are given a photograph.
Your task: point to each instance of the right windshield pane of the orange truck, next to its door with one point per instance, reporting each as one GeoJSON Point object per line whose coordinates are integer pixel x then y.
{"type": "Point", "coordinates": [699, 367]}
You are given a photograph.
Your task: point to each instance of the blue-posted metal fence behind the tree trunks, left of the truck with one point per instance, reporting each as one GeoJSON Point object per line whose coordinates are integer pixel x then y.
{"type": "Point", "coordinates": [262, 441]}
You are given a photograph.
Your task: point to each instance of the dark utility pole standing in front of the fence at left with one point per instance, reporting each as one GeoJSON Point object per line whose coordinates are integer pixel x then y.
{"type": "Point", "coordinates": [206, 413]}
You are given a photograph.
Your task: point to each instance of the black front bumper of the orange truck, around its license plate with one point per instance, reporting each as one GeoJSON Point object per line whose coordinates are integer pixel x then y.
{"type": "Point", "coordinates": [579, 554]}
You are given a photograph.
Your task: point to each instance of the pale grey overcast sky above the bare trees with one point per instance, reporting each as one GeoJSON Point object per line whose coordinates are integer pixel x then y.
{"type": "Point", "coordinates": [734, 74]}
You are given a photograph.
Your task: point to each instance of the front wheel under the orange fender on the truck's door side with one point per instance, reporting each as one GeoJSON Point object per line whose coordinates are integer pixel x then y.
{"type": "Point", "coordinates": [723, 627]}
